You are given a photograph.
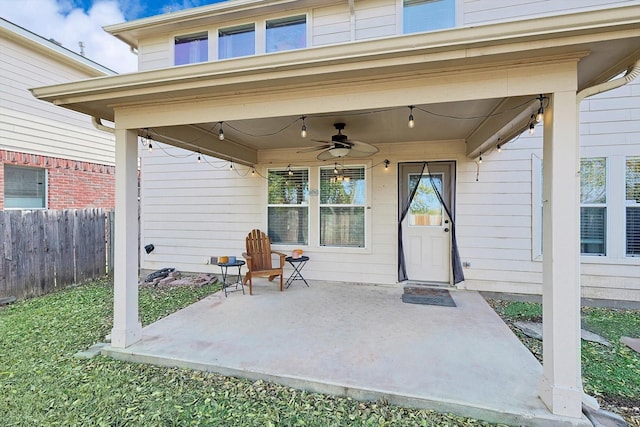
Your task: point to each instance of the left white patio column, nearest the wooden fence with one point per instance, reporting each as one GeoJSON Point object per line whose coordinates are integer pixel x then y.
{"type": "Point", "coordinates": [127, 328]}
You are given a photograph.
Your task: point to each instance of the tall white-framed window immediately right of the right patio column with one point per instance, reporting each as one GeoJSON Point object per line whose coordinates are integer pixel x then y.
{"type": "Point", "coordinates": [593, 206]}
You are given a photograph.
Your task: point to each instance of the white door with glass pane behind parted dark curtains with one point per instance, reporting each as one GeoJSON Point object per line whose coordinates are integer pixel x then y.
{"type": "Point", "coordinates": [427, 227]}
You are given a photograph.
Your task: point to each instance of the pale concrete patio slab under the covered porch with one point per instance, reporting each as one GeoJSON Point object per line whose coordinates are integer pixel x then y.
{"type": "Point", "coordinates": [360, 341]}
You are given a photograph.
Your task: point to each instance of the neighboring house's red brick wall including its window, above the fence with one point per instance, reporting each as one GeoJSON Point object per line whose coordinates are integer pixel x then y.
{"type": "Point", "coordinates": [35, 182]}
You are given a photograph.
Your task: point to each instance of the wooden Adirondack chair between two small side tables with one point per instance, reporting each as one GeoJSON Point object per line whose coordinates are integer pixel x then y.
{"type": "Point", "coordinates": [259, 259]}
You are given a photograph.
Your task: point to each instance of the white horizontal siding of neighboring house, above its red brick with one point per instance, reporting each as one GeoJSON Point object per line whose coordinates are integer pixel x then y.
{"type": "Point", "coordinates": [36, 127]}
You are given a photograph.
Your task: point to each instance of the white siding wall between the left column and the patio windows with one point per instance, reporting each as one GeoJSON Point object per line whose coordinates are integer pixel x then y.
{"type": "Point", "coordinates": [205, 209]}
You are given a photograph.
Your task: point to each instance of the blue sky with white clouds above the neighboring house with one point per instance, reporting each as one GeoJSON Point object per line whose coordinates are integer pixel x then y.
{"type": "Point", "coordinates": [73, 21]}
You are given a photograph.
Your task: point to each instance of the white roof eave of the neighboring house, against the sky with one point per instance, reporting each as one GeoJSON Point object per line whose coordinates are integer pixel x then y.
{"type": "Point", "coordinates": [51, 48]}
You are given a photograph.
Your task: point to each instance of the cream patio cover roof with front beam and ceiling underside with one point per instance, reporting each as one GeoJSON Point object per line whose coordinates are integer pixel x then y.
{"type": "Point", "coordinates": [429, 70]}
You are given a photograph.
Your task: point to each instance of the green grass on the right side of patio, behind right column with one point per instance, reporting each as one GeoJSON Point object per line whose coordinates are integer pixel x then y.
{"type": "Point", "coordinates": [611, 374]}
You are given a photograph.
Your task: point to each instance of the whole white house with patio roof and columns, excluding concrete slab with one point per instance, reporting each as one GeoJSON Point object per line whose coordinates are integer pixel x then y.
{"type": "Point", "coordinates": [416, 165]}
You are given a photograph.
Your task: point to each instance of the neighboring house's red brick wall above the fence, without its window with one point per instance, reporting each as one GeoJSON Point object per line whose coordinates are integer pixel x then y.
{"type": "Point", "coordinates": [71, 184]}
